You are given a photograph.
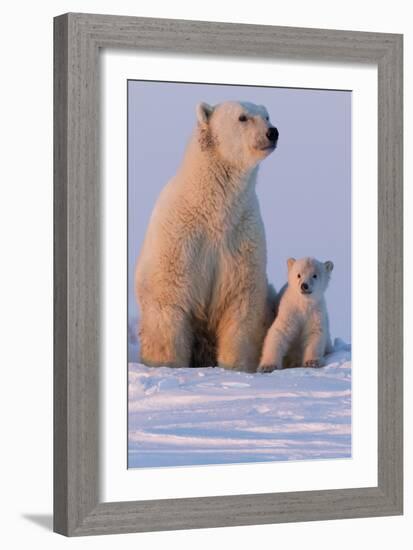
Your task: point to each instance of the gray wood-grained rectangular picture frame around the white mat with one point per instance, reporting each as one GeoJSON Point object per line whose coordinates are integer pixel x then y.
{"type": "Point", "coordinates": [78, 39]}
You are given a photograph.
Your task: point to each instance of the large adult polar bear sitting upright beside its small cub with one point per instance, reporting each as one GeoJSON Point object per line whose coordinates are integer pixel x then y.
{"type": "Point", "coordinates": [201, 279]}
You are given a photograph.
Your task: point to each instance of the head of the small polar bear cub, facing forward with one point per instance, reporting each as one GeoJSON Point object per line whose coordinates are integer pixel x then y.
{"type": "Point", "coordinates": [308, 276]}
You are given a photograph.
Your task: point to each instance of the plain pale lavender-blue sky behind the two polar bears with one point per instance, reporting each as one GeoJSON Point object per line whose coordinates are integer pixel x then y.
{"type": "Point", "coordinates": [304, 187]}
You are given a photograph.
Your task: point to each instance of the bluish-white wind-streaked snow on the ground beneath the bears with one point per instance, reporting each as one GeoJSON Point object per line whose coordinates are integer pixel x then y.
{"type": "Point", "coordinates": [180, 417]}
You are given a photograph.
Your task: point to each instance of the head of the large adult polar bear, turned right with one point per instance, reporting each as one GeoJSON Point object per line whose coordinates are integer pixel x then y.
{"type": "Point", "coordinates": [240, 132]}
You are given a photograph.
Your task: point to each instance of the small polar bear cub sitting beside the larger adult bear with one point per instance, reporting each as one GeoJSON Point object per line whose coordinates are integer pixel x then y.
{"type": "Point", "coordinates": [300, 334]}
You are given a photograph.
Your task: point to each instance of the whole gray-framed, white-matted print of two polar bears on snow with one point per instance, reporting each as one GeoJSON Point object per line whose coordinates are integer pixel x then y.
{"type": "Point", "coordinates": [228, 274]}
